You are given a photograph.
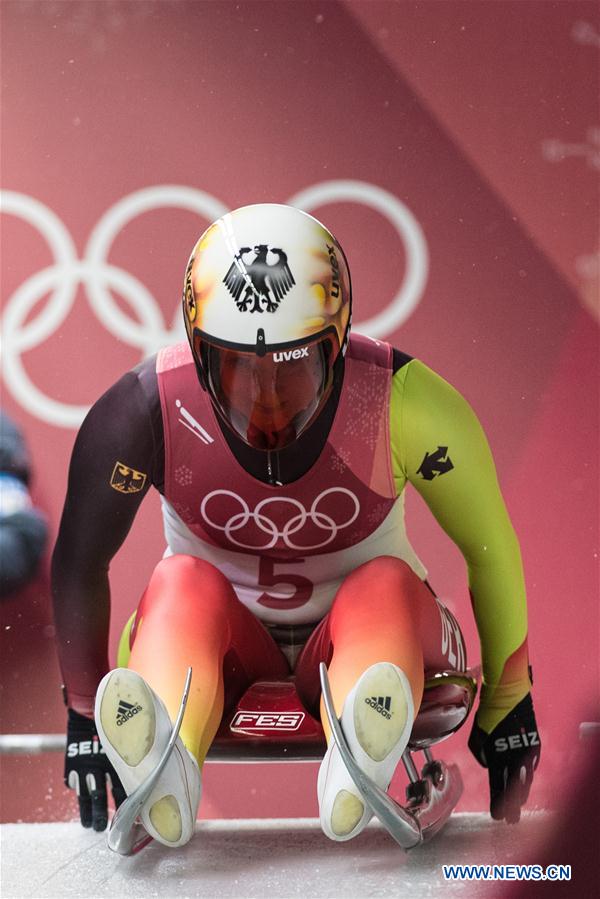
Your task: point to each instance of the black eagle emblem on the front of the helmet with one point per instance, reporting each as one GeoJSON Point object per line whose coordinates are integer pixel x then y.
{"type": "Point", "coordinates": [262, 284]}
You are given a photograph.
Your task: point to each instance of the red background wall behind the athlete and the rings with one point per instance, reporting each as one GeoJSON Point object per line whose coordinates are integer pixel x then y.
{"type": "Point", "coordinates": [477, 120]}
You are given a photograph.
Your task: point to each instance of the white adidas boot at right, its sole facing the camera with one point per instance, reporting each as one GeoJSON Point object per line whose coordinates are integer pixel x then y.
{"type": "Point", "coordinates": [377, 719]}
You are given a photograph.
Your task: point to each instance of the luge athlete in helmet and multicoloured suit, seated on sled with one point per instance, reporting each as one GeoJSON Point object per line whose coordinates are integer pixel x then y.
{"type": "Point", "coordinates": [281, 447]}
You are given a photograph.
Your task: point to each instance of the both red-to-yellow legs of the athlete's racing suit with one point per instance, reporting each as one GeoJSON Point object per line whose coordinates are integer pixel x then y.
{"type": "Point", "coordinates": [382, 612]}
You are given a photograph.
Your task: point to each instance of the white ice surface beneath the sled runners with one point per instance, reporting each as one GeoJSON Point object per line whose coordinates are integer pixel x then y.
{"type": "Point", "coordinates": [256, 858]}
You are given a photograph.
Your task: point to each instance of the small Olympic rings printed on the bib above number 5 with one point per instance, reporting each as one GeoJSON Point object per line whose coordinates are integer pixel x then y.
{"type": "Point", "coordinates": [293, 525]}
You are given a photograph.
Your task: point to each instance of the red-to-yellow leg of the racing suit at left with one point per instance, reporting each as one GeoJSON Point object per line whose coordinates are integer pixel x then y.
{"type": "Point", "coordinates": [190, 615]}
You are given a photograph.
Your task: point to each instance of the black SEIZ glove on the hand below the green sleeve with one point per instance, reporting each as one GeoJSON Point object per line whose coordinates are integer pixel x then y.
{"type": "Point", "coordinates": [511, 754]}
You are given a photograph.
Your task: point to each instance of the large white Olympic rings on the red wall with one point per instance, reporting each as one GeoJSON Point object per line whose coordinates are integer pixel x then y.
{"type": "Point", "coordinates": [147, 332]}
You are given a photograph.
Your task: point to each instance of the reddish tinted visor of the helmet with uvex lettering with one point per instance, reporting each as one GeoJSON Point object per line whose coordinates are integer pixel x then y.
{"type": "Point", "coordinates": [270, 400]}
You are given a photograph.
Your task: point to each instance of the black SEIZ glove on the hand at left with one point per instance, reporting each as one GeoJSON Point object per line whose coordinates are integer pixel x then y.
{"type": "Point", "coordinates": [87, 771]}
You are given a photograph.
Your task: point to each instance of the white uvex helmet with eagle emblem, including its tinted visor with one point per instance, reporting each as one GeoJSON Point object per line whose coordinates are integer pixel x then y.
{"type": "Point", "coordinates": [267, 303]}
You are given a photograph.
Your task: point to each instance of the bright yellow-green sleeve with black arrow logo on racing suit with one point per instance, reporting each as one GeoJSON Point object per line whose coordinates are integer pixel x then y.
{"type": "Point", "coordinates": [439, 446]}
